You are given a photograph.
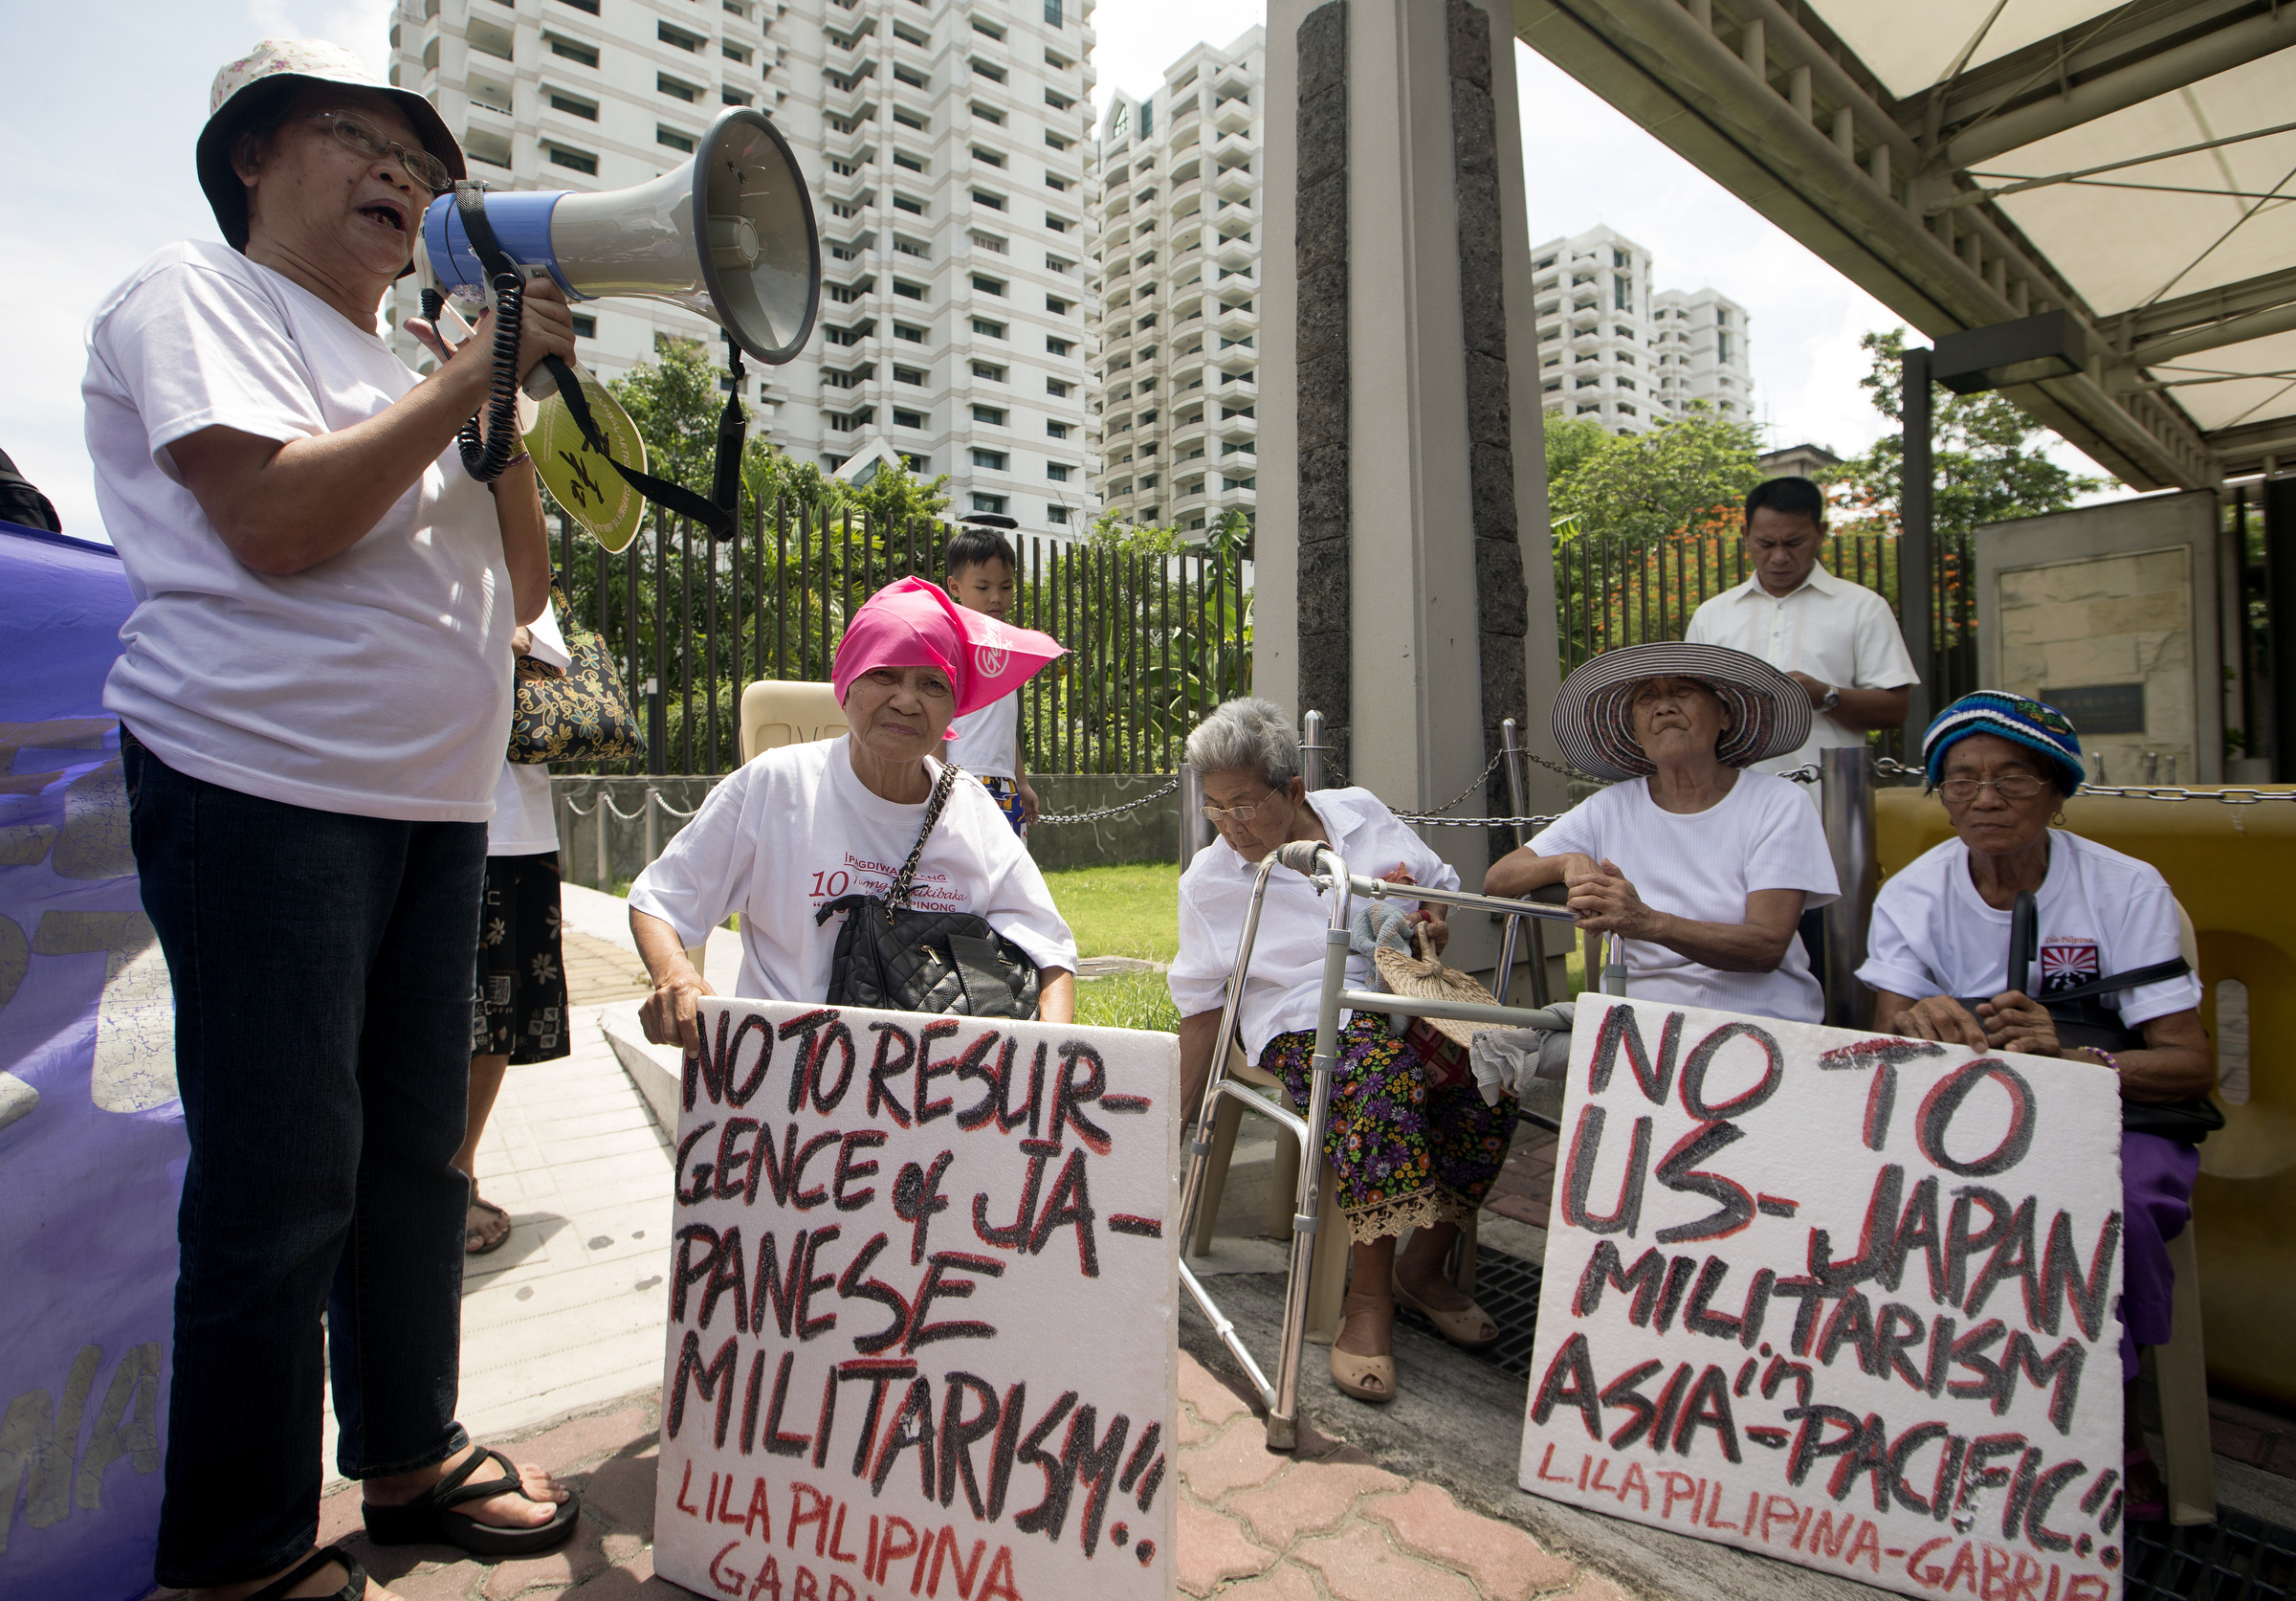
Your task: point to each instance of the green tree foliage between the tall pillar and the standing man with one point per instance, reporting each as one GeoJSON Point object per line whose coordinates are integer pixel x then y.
{"type": "Point", "coordinates": [1652, 486]}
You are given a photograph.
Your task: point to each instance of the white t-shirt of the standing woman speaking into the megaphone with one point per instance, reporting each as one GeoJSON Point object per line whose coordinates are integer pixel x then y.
{"type": "Point", "coordinates": [375, 683]}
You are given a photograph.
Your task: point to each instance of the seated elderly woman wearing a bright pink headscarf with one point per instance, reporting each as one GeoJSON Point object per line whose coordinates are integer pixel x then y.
{"type": "Point", "coordinates": [814, 823]}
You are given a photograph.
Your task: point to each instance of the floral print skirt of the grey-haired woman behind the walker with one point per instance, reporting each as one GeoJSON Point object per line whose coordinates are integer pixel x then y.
{"type": "Point", "coordinates": [1406, 1157]}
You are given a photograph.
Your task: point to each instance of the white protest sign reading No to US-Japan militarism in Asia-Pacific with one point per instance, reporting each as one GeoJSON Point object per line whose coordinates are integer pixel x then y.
{"type": "Point", "coordinates": [1840, 1299]}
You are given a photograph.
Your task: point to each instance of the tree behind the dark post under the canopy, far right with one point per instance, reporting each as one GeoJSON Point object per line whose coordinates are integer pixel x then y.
{"type": "Point", "coordinates": [1985, 454]}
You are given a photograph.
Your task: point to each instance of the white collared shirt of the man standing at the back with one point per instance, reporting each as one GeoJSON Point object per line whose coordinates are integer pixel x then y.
{"type": "Point", "coordinates": [1836, 631]}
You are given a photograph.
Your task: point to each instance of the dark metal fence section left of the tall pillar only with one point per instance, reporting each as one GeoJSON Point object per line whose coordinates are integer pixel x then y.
{"type": "Point", "coordinates": [692, 619]}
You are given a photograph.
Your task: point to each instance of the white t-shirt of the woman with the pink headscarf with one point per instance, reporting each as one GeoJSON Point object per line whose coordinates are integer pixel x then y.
{"type": "Point", "coordinates": [796, 828]}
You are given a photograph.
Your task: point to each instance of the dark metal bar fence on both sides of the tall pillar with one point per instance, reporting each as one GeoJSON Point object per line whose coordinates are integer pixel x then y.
{"type": "Point", "coordinates": [1158, 640]}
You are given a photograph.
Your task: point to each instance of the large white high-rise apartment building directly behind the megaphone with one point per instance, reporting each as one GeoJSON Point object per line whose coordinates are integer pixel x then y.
{"type": "Point", "coordinates": [947, 150]}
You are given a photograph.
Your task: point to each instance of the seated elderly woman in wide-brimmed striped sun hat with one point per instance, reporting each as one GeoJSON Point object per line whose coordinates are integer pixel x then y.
{"type": "Point", "coordinates": [1698, 865]}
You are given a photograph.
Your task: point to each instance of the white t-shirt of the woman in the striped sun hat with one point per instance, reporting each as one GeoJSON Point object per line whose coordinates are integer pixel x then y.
{"type": "Point", "coordinates": [1702, 867]}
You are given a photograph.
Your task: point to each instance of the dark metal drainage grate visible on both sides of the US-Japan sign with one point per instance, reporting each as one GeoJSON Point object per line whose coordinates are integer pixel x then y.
{"type": "Point", "coordinates": [2237, 1559]}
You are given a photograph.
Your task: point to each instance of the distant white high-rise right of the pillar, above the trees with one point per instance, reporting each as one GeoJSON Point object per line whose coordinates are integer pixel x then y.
{"type": "Point", "coordinates": [1615, 348]}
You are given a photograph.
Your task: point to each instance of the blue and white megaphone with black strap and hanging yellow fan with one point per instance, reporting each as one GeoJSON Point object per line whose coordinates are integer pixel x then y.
{"type": "Point", "coordinates": [729, 235]}
